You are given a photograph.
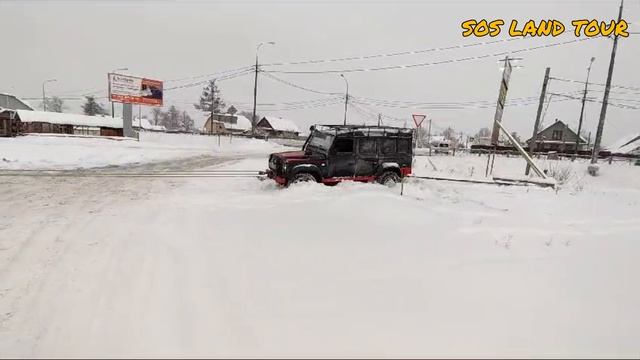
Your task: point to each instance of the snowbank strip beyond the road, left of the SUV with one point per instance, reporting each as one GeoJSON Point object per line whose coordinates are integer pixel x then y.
{"type": "Point", "coordinates": [59, 152]}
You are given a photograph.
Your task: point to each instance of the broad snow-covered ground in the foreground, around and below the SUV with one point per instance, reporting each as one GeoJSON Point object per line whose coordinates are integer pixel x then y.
{"type": "Point", "coordinates": [241, 268]}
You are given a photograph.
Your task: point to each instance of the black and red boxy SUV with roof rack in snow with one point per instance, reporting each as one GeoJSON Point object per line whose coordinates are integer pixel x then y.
{"type": "Point", "coordinates": [333, 153]}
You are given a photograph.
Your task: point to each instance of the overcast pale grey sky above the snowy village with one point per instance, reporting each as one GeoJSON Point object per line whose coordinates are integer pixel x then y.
{"type": "Point", "coordinates": [79, 42]}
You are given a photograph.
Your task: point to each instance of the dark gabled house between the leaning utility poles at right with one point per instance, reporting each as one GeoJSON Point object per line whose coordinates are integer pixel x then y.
{"type": "Point", "coordinates": [558, 137]}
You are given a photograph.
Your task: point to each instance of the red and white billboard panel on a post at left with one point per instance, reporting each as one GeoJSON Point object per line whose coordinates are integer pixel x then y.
{"type": "Point", "coordinates": [135, 90]}
